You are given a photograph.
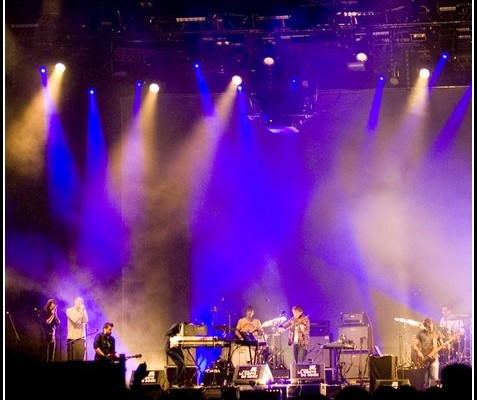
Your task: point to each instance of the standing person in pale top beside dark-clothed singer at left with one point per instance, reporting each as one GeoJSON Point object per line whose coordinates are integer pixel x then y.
{"type": "Point", "coordinates": [77, 318]}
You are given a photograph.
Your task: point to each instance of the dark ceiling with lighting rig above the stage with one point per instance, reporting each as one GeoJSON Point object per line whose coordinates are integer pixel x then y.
{"type": "Point", "coordinates": [311, 39]}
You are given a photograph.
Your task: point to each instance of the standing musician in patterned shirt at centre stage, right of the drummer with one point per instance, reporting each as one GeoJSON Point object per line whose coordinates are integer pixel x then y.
{"type": "Point", "coordinates": [299, 334]}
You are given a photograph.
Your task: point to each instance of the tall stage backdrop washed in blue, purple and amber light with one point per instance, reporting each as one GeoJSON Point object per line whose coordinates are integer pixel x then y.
{"type": "Point", "coordinates": [200, 217]}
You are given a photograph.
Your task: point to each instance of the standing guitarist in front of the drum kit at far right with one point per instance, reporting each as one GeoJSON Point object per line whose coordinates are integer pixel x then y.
{"type": "Point", "coordinates": [426, 345]}
